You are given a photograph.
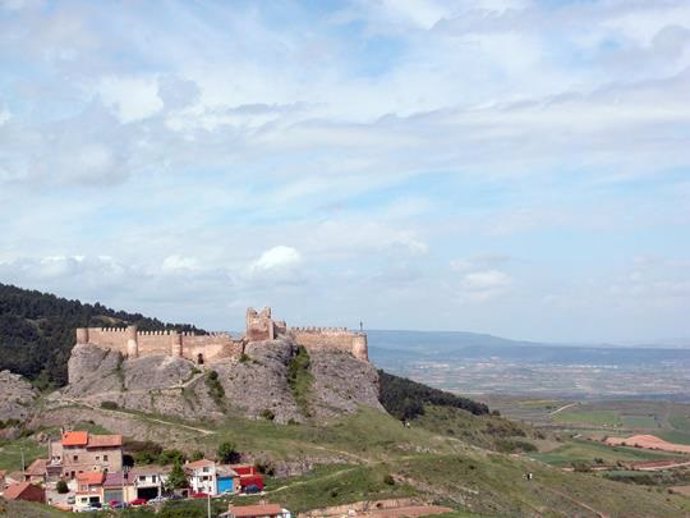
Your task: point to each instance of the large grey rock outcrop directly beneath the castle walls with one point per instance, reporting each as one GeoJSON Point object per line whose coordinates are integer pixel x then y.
{"type": "Point", "coordinates": [255, 385]}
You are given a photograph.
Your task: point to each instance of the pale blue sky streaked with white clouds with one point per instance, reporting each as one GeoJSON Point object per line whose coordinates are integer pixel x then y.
{"type": "Point", "coordinates": [514, 167]}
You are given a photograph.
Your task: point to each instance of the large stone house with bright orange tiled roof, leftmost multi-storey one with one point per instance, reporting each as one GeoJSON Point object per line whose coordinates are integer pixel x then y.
{"type": "Point", "coordinates": [81, 452]}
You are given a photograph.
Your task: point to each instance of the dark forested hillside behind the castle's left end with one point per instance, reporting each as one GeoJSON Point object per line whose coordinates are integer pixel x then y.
{"type": "Point", "coordinates": [37, 331]}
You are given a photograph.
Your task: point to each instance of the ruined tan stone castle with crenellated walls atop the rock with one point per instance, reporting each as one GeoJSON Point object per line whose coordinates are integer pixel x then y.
{"type": "Point", "coordinates": [132, 343]}
